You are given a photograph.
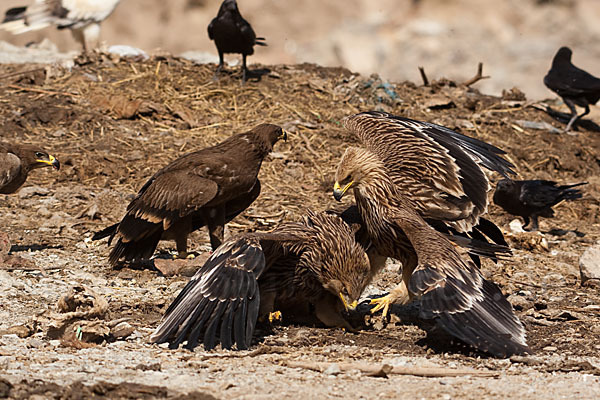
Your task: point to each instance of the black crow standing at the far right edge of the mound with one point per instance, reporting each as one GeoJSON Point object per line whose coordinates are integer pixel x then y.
{"type": "Point", "coordinates": [574, 85]}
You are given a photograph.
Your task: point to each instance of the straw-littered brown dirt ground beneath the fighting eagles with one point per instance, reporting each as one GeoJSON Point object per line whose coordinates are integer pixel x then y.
{"type": "Point", "coordinates": [112, 123]}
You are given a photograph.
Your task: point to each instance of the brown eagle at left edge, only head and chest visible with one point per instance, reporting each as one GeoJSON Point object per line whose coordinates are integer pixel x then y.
{"type": "Point", "coordinates": [16, 160]}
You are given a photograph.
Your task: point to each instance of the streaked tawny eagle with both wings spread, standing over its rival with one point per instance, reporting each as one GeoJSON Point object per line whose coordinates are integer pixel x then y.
{"type": "Point", "coordinates": [411, 171]}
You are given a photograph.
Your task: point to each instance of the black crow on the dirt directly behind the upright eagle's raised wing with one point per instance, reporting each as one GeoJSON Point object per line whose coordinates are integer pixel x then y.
{"type": "Point", "coordinates": [533, 198]}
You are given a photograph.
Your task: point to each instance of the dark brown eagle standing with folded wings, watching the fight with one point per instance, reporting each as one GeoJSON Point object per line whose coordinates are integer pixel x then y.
{"type": "Point", "coordinates": [207, 187]}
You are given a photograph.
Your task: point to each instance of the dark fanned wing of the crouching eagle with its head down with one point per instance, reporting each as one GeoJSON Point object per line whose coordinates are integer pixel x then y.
{"type": "Point", "coordinates": [221, 300]}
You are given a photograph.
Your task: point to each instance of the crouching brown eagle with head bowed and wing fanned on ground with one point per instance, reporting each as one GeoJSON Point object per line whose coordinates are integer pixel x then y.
{"type": "Point", "coordinates": [314, 261]}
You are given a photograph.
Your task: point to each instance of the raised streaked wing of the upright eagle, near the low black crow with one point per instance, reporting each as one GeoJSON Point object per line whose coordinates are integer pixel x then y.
{"type": "Point", "coordinates": [437, 168]}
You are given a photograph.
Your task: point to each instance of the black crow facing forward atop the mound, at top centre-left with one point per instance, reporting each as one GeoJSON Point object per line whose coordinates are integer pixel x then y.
{"type": "Point", "coordinates": [233, 34]}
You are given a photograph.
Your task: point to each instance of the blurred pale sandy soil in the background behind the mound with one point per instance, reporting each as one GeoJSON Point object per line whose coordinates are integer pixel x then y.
{"type": "Point", "coordinates": [515, 39]}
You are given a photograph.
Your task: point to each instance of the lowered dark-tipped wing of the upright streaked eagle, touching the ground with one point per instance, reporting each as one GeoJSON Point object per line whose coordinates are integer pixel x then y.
{"type": "Point", "coordinates": [464, 303]}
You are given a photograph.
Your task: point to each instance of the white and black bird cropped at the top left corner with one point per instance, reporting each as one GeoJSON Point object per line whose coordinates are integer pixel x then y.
{"type": "Point", "coordinates": [82, 17]}
